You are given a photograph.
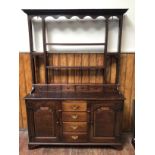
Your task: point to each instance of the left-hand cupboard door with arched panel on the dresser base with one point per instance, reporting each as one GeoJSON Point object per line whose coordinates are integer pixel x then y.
{"type": "Point", "coordinates": [42, 121]}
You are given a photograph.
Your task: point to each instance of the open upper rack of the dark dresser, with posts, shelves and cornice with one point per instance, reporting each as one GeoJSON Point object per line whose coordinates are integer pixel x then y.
{"type": "Point", "coordinates": [81, 13]}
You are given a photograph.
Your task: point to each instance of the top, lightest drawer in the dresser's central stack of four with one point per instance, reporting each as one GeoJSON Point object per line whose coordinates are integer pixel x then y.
{"type": "Point", "coordinates": [74, 106]}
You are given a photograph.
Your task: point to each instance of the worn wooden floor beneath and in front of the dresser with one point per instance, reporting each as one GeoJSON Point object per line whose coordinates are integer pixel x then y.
{"type": "Point", "coordinates": [23, 150]}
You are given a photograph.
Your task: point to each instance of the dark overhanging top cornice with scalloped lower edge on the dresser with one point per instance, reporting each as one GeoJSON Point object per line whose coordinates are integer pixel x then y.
{"type": "Point", "coordinates": [75, 12]}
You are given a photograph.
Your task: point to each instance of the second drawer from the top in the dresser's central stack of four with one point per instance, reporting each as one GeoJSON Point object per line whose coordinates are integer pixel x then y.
{"type": "Point", "coordinates": [74, 116]}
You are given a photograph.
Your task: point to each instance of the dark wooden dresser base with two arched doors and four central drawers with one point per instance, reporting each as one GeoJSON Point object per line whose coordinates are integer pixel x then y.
{"type": "Point", "coordinates": [74, 122]}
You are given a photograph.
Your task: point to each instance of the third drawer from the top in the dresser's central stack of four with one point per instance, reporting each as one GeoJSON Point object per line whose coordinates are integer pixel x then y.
{"type": "Point", "coordinates": [75, 126]}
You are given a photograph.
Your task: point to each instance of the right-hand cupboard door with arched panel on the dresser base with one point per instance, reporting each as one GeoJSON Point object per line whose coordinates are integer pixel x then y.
{"type": "Point", "coordinates": [105, 122]}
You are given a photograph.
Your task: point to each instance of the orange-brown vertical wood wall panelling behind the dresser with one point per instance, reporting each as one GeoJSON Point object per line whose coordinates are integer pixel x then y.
{"type": "Point", "coordinates": [127, 78]}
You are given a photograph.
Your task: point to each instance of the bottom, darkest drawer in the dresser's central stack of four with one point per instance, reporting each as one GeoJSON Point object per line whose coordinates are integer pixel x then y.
{"type": "Point", "coordinates": [74, 137]}
